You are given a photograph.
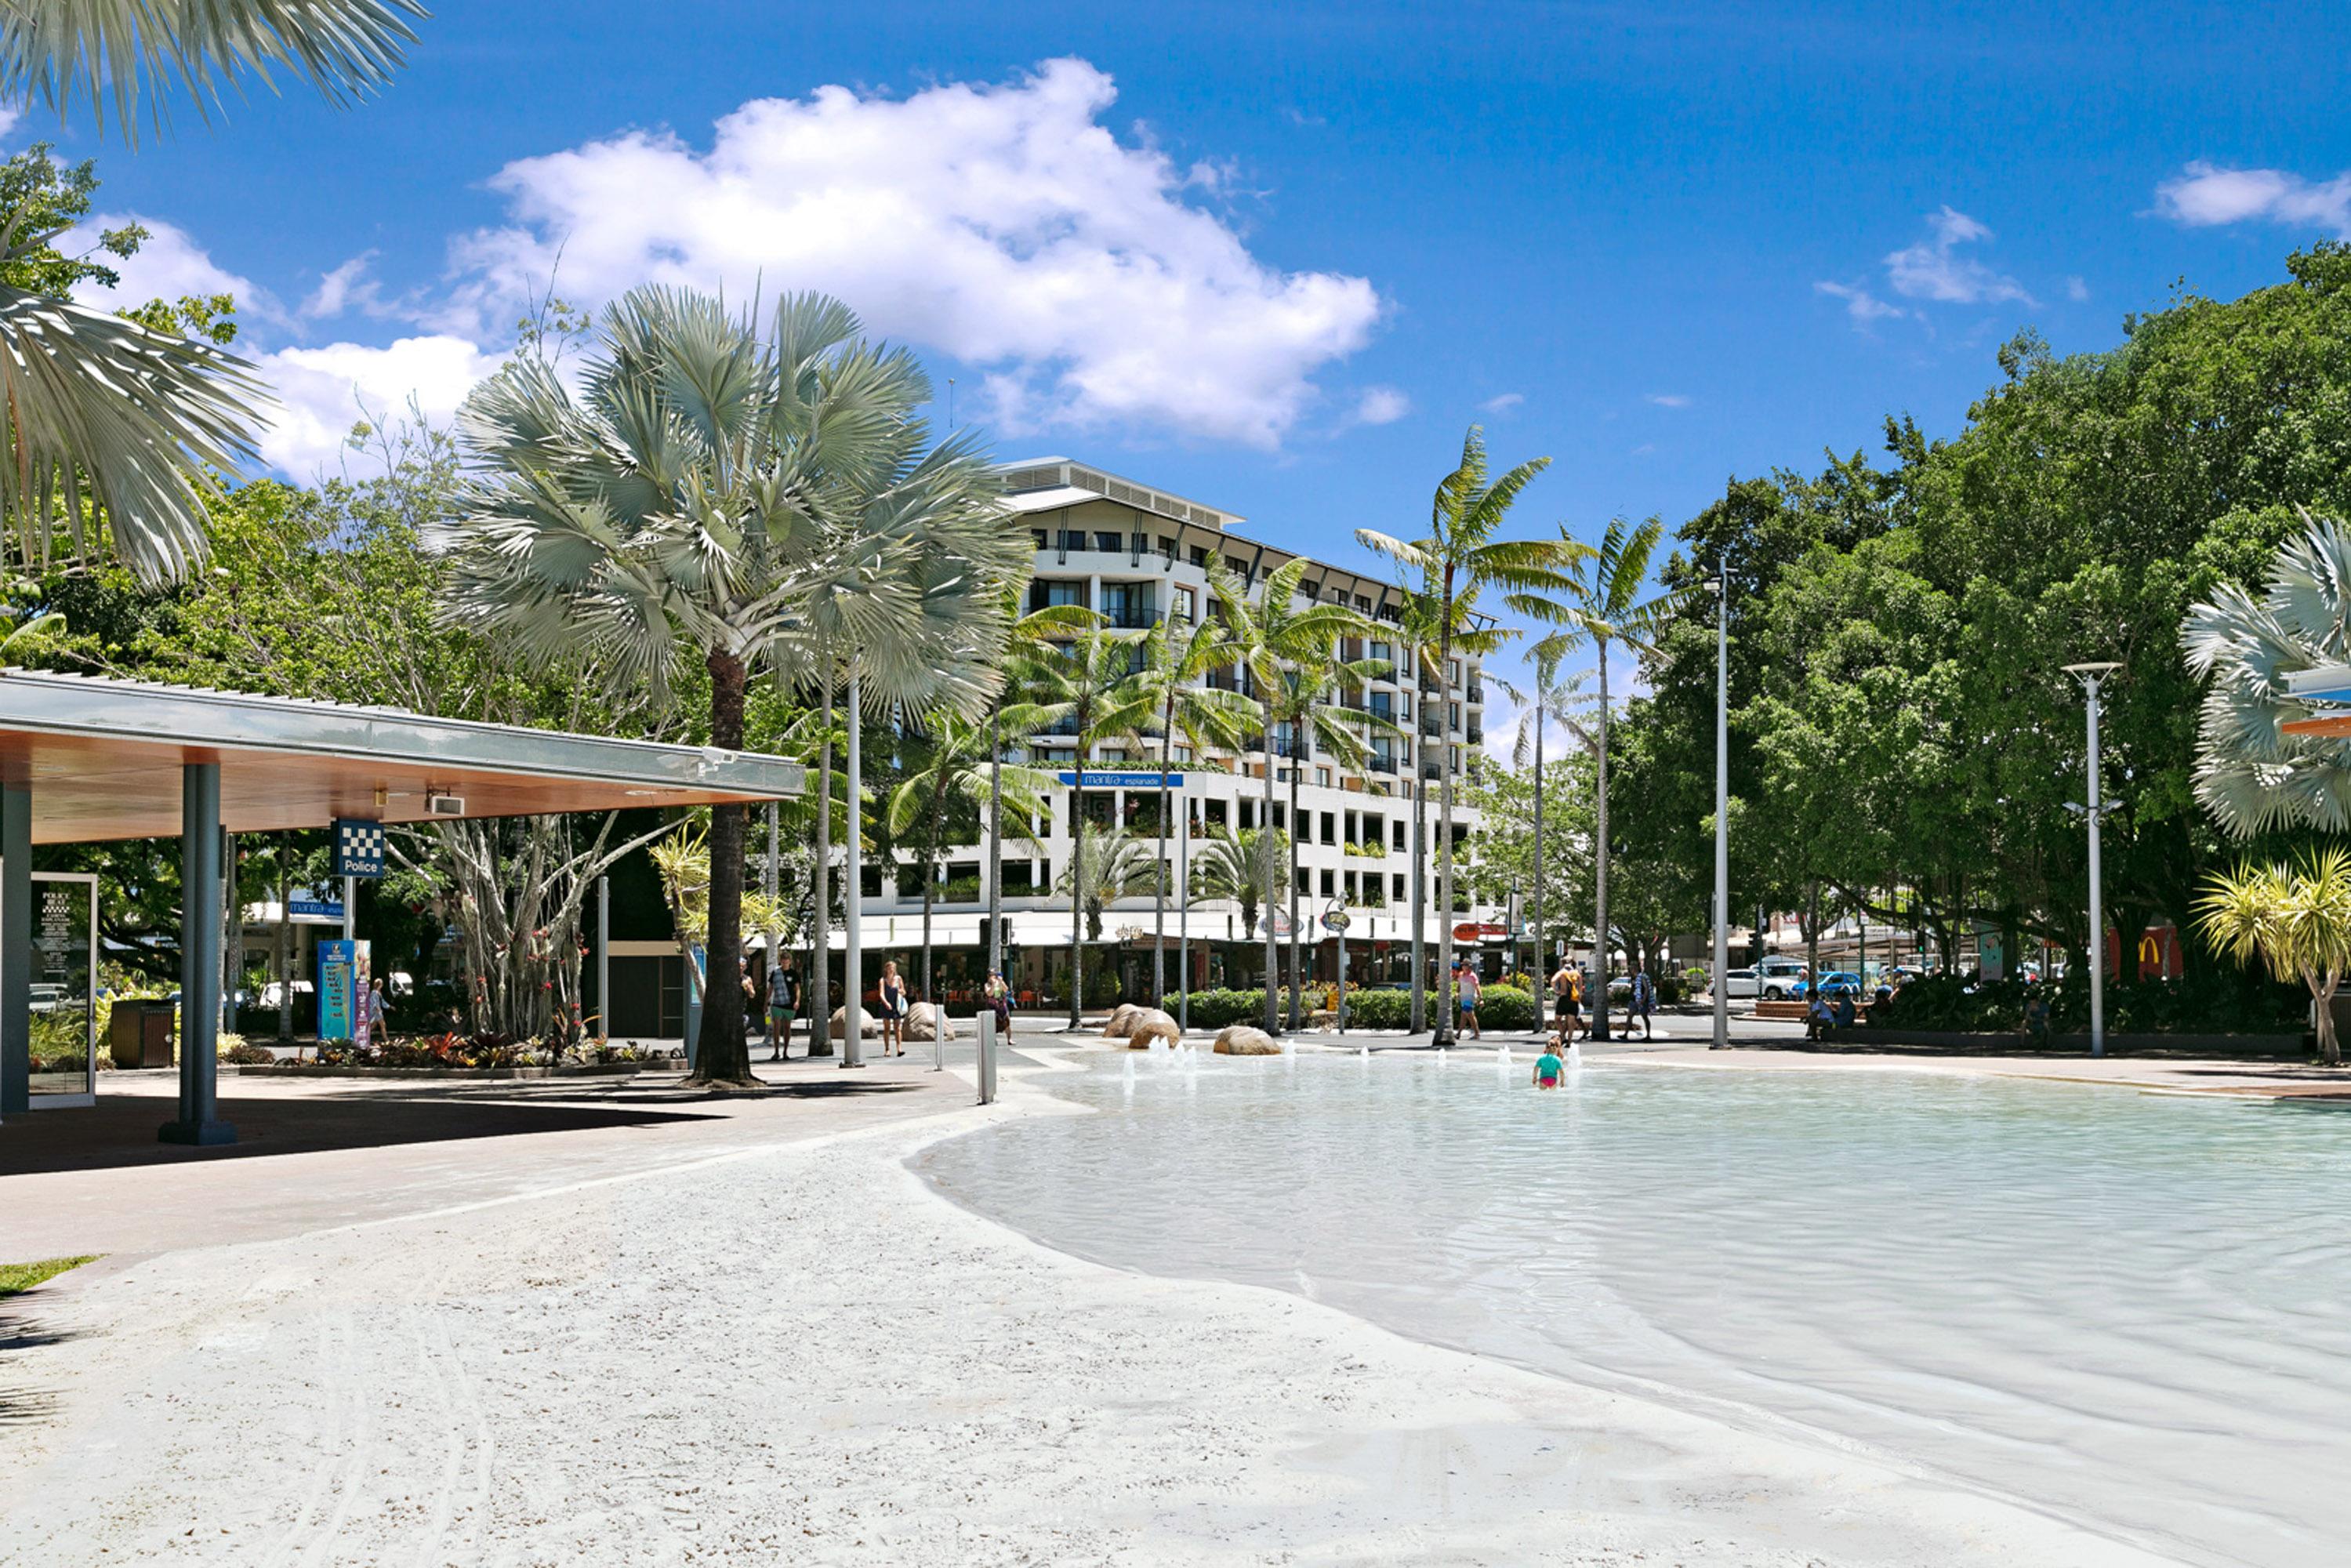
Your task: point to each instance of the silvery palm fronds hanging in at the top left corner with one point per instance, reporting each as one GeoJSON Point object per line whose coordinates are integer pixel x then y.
{"type": "Point", "coordinates": [112, 427]}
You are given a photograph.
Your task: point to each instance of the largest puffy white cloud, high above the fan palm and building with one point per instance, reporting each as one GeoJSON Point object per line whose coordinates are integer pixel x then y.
{"type": "Point", "coordinates": [1003, 225]}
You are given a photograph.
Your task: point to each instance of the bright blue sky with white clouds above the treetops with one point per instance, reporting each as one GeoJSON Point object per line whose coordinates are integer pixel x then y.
{"type": "Point", "coordinates": [1280, 257]}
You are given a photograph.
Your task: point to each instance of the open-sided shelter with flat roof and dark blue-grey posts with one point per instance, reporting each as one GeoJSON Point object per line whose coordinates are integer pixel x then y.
{"type": "Point", "coordinates": [91, 760]}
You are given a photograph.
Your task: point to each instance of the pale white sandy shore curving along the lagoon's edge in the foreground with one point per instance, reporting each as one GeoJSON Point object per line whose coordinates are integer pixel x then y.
{"type": "Point", "coordinates": [801, 1355]}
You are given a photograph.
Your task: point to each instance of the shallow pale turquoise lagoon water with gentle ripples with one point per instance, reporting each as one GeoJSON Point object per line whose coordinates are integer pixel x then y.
{"type": "Point", "coordinates": [2126, 1311]}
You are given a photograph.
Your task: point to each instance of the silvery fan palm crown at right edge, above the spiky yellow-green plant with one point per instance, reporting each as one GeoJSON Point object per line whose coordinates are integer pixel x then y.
{"type": "Point", "coordinates": [2251, 772]}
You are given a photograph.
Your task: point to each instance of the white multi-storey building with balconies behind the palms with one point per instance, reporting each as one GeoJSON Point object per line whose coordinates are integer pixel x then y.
{"type": "Point", "coordinates": [1134, 556]}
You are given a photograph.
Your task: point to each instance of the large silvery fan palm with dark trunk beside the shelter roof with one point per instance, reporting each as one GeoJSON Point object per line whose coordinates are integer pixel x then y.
{"type": "Point", "coordinates": [730, 490]}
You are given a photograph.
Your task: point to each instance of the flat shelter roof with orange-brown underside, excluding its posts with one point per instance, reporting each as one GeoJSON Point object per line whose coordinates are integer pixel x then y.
{"type": "Point", "coordinates": [102, 760]}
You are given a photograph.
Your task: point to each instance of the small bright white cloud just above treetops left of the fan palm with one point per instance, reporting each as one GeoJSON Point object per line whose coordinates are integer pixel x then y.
{"type": "Point", "coordinates": [326, 391]}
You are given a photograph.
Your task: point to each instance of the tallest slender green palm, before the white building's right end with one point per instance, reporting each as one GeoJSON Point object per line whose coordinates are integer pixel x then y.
{"type": "Point", "coordinates": [1456, 556]}
